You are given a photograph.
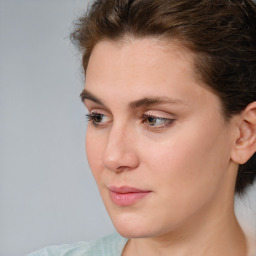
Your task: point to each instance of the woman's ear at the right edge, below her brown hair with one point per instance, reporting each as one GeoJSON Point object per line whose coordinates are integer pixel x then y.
{"type": "Point", "coordinates": [245, 140]}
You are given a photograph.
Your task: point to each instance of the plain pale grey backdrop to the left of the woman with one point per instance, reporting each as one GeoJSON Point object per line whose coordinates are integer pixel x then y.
{"type": "Point", "coordinates": [47, 193]}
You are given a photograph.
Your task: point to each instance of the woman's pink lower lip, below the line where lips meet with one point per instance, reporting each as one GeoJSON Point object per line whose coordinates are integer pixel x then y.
{"type": "Point", "coordinates": [127, 199]}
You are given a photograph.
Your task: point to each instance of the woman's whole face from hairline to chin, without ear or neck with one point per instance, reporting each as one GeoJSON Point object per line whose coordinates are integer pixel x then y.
{"type": "Point", "coordinates": [156, 142]}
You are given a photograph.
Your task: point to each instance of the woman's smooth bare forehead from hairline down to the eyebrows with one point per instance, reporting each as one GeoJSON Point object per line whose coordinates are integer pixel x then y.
{"type": "Point", "coordinates": [132, 69]}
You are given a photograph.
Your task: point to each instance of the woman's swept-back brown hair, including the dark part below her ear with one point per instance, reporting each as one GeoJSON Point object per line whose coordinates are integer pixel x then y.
{"type": "Point", "coordinates": [222, 34]}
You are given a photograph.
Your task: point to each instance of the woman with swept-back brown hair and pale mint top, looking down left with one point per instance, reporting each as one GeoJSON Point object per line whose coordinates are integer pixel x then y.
{"type": "Point", "coordinates": [170, 91]}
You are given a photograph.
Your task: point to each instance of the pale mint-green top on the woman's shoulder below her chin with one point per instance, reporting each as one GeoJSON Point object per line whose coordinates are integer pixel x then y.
{"type": "Point", "coordinates": [112, 245]}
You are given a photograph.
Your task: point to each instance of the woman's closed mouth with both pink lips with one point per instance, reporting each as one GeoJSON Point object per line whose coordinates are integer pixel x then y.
{"type": "Point", "coordinates": [127, 196]}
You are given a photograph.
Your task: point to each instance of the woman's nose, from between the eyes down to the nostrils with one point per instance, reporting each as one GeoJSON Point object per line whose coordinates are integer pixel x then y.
{"type": "Point", "coordinates": [120, 153]}
